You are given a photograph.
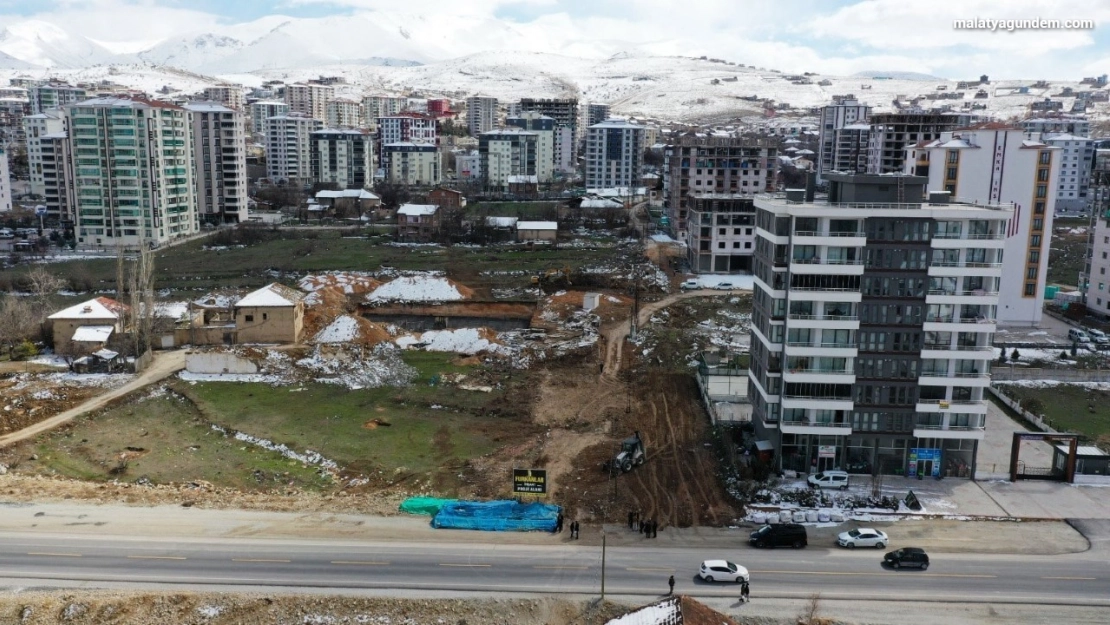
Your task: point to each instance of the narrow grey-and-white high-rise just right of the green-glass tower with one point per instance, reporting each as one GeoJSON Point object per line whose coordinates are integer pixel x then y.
{"type": "Point", "coordinates": [219, 149]}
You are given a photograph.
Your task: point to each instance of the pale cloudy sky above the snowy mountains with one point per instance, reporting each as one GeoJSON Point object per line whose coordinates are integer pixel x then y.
{"type": "Point", "coordinates": [837, 37]}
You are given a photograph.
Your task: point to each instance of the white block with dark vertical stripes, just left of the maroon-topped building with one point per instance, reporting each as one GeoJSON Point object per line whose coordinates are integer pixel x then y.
{"type": "Point", "coordinates": [344, 157]}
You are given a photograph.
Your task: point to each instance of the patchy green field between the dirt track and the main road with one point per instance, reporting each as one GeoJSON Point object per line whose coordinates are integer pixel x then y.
{"type": "Point", "coordinates": [427, 430]}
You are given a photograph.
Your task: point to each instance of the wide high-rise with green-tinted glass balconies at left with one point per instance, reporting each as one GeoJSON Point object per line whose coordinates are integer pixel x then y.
{"type": "Point", "coordinates": [133, 173]}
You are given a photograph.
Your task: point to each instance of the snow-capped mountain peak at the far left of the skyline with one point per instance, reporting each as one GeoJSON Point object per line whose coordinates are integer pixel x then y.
{"type": "Point", "coordinates": [42, 44]}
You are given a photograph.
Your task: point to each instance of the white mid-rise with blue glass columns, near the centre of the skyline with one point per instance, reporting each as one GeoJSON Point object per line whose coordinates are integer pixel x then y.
{"type": "Point", "coordinates": [614, 155]}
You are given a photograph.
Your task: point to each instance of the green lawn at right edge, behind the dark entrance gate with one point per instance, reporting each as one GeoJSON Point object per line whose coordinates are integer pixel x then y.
{"type": "Point", "coordinates": [1067, 408]}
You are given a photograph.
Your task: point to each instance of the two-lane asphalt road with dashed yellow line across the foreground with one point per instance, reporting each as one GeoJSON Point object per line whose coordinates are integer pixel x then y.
{"type": "Point", "coordinates": [1079, 580]}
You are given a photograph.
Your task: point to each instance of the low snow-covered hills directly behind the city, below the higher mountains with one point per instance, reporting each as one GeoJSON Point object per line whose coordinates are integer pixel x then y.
{"type": "Point", "coordinates": [665, 88]}
